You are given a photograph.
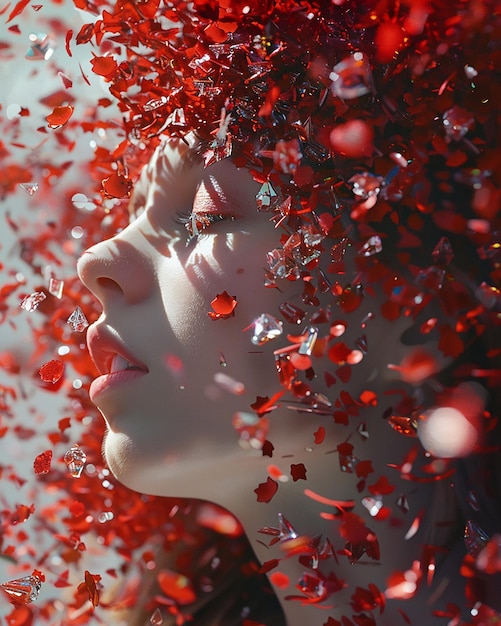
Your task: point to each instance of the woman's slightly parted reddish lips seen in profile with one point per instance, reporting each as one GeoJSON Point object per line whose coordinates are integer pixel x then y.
{"type": "Point", "coordinates": [103, 345]}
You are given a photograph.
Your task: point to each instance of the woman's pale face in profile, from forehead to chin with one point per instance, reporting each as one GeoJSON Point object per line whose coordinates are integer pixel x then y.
{"type": "Point", "coordinates": [160, 355]}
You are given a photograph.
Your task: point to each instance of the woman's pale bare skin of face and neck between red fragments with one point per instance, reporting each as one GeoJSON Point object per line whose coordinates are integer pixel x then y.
{"type": "Point", "coordinates": [169, 424]}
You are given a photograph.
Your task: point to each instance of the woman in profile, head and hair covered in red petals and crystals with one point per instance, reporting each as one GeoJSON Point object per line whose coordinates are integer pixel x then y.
{"type": "Point", "coordinates": [292, 327]}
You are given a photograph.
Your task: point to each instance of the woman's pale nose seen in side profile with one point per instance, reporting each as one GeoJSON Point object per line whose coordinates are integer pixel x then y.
{"type": "Point", "coordinates": [116, 271]}
